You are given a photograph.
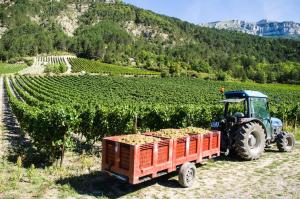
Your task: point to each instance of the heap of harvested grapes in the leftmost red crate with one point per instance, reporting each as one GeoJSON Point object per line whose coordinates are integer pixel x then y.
{"type": "Point", "coordinates": [136, 139]}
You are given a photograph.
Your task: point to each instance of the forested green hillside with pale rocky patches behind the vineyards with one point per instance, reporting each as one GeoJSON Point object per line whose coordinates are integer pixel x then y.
{"type": "Point", "coordinates": [124, 34]}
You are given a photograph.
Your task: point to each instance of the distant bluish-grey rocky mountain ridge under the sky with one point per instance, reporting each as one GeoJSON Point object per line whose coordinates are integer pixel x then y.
{"type": "Point", "coordinates": [265, 28]}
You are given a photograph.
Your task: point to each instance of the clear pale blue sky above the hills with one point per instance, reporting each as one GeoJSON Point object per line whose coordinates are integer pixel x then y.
{"type": "Point", "coordinates": [201, 11]}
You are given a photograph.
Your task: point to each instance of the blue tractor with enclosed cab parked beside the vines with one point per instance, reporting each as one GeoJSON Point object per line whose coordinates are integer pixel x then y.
{"type": "Point", "coordinates": [247, 127]}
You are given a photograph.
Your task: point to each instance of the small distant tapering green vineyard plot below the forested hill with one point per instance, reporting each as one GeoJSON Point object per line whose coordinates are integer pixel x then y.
{"type": "Point", "coordinates": [79, 65]}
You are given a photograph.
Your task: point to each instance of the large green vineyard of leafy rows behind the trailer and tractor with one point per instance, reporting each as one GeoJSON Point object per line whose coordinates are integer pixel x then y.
{"type": "Point", "coordinates": [53, 109]}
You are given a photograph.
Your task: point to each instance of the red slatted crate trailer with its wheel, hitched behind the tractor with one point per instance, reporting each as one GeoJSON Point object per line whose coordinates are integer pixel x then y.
{"type": "Point", "coordinates": [138, 163]}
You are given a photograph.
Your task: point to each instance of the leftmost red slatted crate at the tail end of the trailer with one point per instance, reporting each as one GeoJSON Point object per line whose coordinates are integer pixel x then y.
{"type": "Point", "coordinates": [136, 161]}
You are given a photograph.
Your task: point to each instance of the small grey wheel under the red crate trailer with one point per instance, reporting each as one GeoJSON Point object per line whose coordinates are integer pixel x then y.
{"type": "Point", "coordinates": [187, 174]}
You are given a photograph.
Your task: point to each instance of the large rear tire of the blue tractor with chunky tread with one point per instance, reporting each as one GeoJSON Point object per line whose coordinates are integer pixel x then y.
{"type": "Point", "coordinates": [250, 141]}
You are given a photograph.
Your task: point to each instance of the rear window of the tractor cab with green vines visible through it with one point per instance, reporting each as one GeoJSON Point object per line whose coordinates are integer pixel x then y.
{"type": "Point", "coordinates": [235, 107]}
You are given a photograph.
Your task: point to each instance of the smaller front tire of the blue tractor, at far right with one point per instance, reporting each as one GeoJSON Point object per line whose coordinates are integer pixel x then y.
{"type": "Point", "coordinates": [285, 142]}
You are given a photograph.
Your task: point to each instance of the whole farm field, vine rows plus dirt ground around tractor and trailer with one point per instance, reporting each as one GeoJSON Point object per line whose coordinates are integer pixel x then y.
{"type": "Point", "coordinates": [56, 110]}
